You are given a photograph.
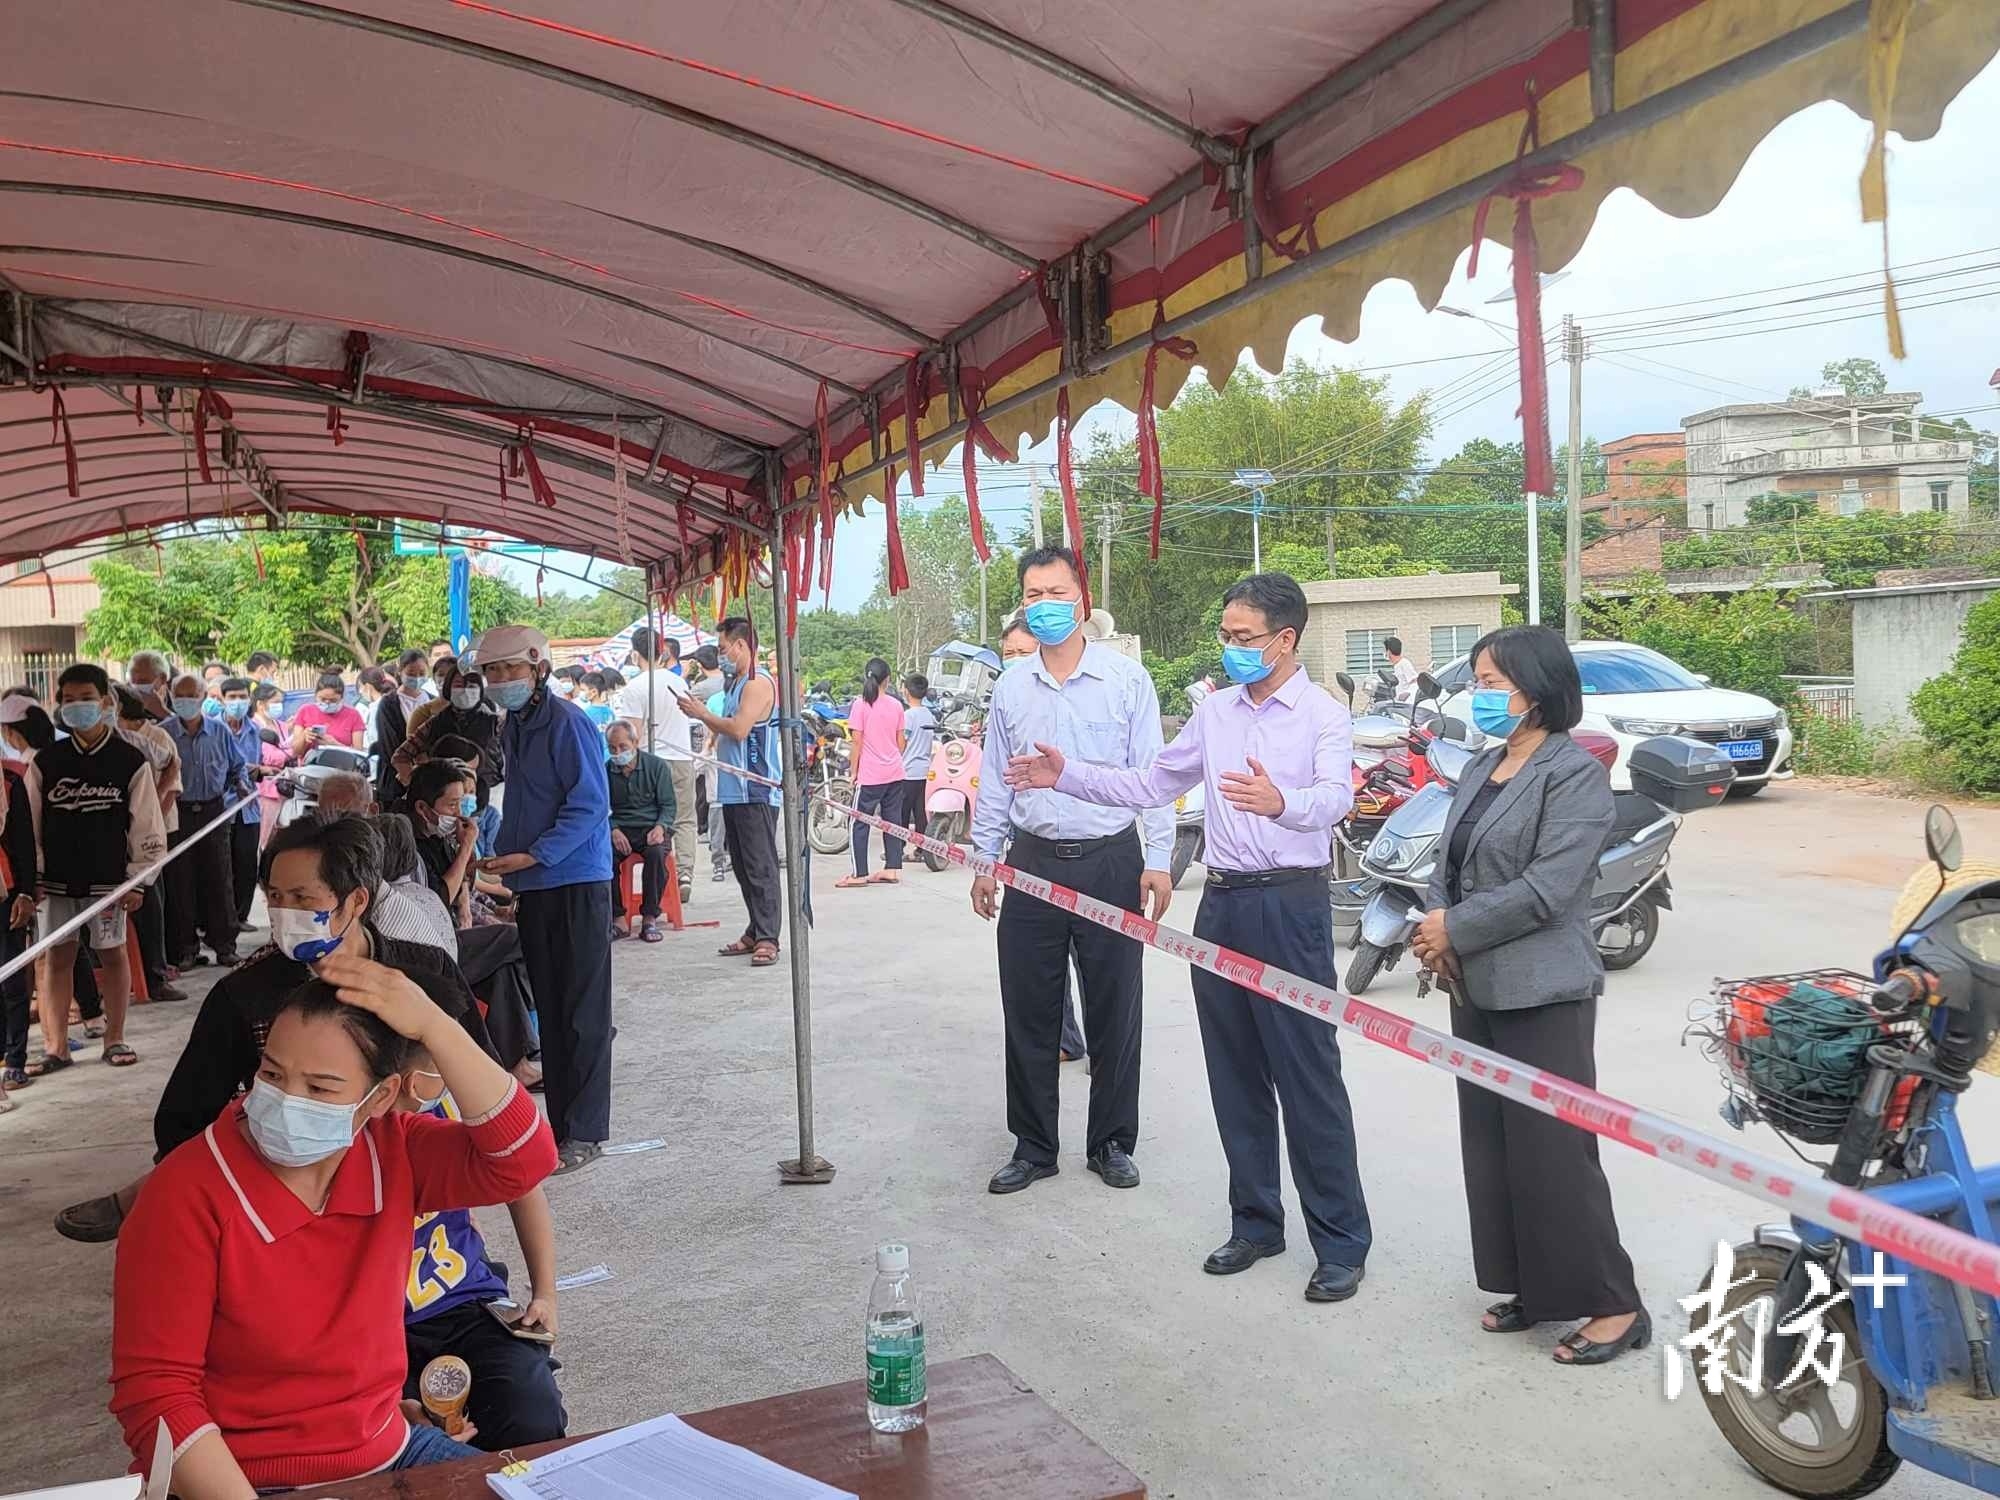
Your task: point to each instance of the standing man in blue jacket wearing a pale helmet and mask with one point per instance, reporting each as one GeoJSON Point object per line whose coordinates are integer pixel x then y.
{"type": "Point", "coordinates": [557, 859]}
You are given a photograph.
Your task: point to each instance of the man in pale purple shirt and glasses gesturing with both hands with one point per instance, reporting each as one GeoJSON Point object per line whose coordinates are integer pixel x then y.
{"type": "Point", "coordinates": [1275, 757]}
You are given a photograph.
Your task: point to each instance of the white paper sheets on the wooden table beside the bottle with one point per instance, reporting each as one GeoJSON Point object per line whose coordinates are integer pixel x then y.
{"type": "Point", "coordinates": [663, 1459]}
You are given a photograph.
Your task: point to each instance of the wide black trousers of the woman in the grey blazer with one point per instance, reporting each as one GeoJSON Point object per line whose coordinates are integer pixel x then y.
{"type": "Point", "coordinates": [1543, 1223]}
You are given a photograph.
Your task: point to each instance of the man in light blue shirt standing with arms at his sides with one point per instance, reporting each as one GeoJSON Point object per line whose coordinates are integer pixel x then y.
{"type": "Point", "coordinates": [1099, 707]}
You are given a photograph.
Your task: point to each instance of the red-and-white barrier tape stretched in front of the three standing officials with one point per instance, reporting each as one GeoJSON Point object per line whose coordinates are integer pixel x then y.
{"type": "Point", "coordinates": [1851, 1213]}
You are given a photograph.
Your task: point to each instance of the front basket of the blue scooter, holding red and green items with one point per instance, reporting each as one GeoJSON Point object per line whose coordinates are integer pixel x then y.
{"type": "Point", "coordinates": [1795, 1047]}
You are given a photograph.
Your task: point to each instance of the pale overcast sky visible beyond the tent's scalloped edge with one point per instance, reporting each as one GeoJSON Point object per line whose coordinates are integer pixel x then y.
{"type": "Point", "coordinates": [1793, 217]}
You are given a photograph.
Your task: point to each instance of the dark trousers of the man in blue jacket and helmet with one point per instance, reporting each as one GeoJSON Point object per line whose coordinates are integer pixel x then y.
{"type": "Point", "coordinates": [567, 941]}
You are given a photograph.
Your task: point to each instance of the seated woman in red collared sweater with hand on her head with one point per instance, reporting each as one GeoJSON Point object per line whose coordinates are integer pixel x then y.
{"type": "Point", "coordinates": [261, 1277]}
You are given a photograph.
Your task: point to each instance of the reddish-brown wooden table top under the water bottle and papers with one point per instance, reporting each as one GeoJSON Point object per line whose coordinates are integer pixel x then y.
{"type": "Point", "coordinates": [987, 1437]}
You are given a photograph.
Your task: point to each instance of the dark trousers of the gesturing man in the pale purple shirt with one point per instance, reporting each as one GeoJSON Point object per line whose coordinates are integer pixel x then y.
{"type": "Point", "coordinates": [1265, 1057]}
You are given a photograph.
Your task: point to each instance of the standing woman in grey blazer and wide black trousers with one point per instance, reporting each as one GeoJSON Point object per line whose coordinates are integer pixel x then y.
{"type": "Point", "coordinates": [1509, 933]}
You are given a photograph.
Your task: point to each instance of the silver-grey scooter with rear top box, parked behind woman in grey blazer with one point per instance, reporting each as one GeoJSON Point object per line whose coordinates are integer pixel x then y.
{"type": "Point", "coordinates": [1671, 777]}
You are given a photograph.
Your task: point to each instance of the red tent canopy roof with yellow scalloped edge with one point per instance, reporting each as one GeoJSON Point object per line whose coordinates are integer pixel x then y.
{"type": "Point", "coordinates": [473, 227]}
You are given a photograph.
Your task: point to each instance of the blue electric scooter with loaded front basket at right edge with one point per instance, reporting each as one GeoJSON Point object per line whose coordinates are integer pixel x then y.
{"type": "Point", "coordinates": [1873, 1067]}
